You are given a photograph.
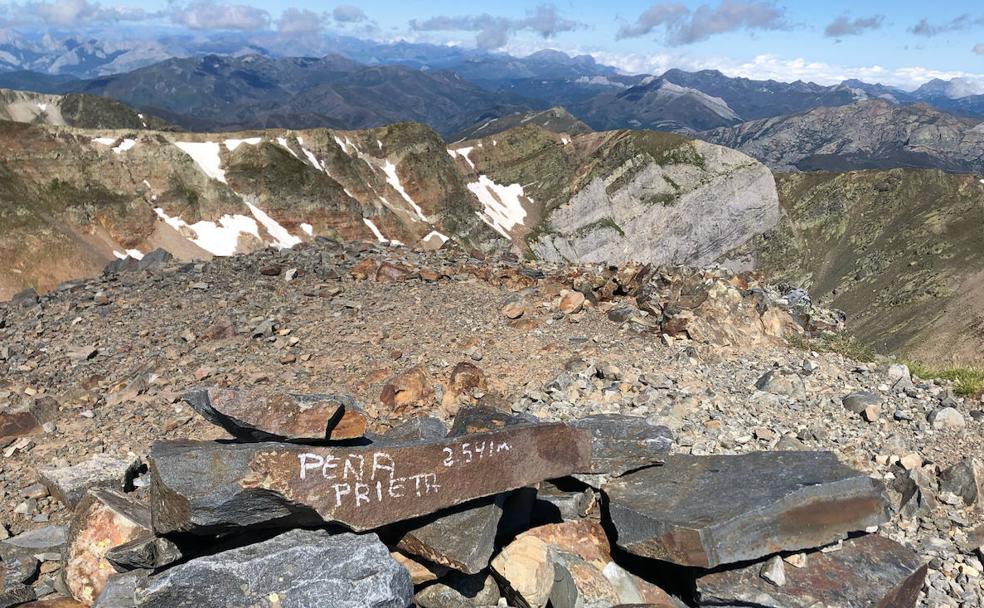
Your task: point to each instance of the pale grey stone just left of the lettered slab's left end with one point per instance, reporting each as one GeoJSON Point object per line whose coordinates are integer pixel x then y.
{"type": "Point", "coordinates": [69, 484]}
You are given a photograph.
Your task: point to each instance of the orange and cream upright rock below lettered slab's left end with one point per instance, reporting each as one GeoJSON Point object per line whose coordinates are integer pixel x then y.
{"type": "Point", "coordinates": [104, 519]}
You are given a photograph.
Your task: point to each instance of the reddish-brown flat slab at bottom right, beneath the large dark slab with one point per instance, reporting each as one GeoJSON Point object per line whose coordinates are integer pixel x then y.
{"type": "Point", "coordinates": [867, 571]}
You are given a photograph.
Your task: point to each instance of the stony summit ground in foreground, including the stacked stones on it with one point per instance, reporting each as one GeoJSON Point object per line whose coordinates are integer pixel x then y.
{"type": "Point", "coordinates": [361, 424]}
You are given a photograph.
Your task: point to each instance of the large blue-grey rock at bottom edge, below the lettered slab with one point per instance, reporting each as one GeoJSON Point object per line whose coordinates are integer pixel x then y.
{"type": "Point", "coordinates": [300, 569]}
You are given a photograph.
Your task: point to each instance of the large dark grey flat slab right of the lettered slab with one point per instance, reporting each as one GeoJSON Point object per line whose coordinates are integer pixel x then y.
{"type": "Point", "coordinates": [710, 510]}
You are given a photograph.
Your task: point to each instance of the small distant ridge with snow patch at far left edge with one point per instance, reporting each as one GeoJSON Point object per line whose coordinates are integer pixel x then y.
{"type": "Point", "coordinates": [83, 111]}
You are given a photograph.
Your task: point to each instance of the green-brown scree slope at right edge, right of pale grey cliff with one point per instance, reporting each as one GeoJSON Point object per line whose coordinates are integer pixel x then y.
{"type": "Point", "coordinates": [898, 250]}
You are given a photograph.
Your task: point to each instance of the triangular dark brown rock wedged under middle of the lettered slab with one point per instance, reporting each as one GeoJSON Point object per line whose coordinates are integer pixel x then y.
{"type": "Point", "coordinates": [462, 539]}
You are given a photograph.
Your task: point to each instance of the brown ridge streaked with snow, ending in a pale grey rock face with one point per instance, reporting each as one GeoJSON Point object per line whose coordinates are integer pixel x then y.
{"type": "Point", "coordinates": [113, 193]}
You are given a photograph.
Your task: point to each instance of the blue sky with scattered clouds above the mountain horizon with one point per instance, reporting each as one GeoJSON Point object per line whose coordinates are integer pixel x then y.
{"type": "Point", "coordinates": [901, 43]}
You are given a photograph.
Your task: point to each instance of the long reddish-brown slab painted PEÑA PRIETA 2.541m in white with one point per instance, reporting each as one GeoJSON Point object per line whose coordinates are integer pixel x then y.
{"type": "Point", "coordinates": [208, 487]}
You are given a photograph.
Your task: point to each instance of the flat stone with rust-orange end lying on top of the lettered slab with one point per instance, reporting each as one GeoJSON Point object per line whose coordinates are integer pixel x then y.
{"type": "Point", "coordinates": [276, 415]}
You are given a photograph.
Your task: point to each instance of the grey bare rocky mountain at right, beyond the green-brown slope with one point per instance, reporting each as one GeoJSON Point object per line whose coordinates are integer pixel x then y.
{"type": "Point", "coordinates": [864, 135]}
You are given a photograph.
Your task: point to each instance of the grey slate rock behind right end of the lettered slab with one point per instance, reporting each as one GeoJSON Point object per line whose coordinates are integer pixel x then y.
{"type": "Point", "coordinates": [623, 443]}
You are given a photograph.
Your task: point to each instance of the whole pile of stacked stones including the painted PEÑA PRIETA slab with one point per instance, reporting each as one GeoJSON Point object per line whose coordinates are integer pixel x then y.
{"type": "Point", "coordinates": [499, 510]}
